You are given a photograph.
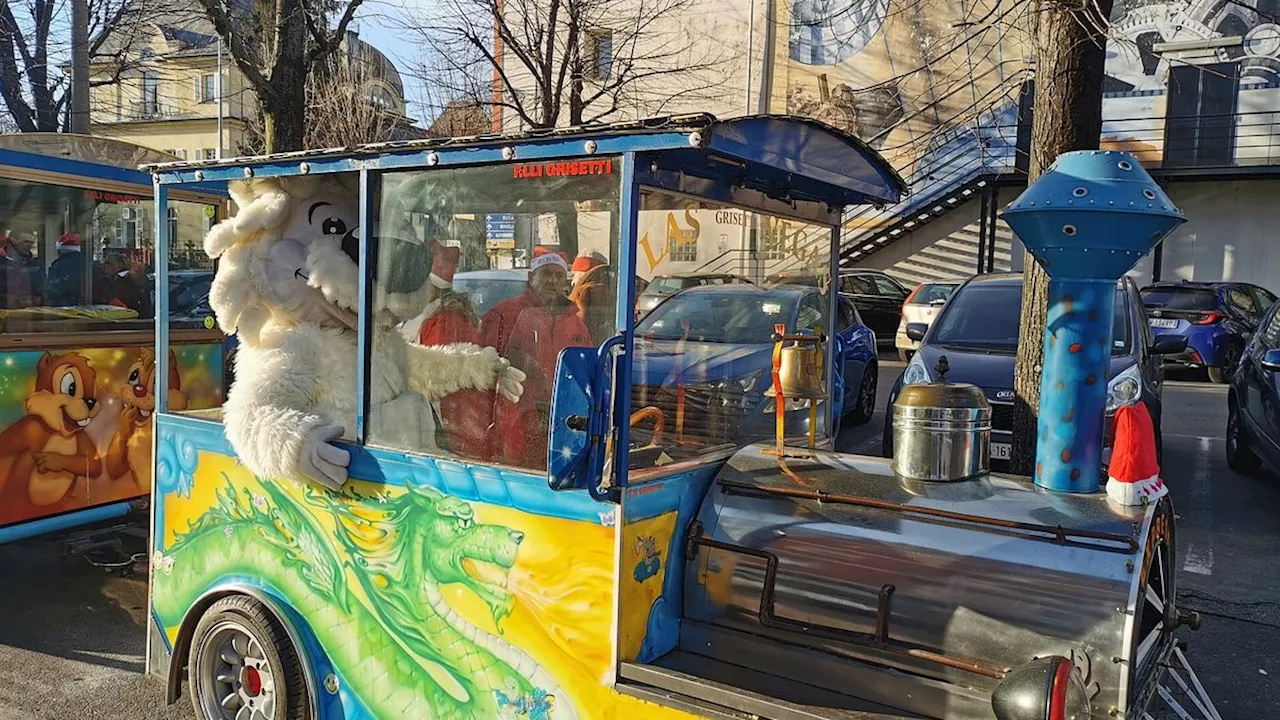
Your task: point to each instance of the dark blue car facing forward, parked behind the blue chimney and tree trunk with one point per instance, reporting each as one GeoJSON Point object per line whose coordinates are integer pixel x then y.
{"type": "Point", "coordinates": [979, 334]}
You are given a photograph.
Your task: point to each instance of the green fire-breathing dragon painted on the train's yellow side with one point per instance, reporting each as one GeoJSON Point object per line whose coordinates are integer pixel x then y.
{"type": "Point", "coordinates": [376, 600]}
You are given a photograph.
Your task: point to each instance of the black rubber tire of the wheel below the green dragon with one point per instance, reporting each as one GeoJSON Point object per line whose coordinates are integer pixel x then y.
{"type": "Point", "coordinates": [294, 701]}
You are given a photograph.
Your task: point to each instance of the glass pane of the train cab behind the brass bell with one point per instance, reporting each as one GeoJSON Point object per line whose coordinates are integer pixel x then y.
{"type": "Point", "coordinates": [703, 359]}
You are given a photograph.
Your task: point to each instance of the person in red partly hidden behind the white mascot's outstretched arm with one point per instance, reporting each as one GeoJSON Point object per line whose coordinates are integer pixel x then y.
{"type": "Point", "coordinates": [467, 416]}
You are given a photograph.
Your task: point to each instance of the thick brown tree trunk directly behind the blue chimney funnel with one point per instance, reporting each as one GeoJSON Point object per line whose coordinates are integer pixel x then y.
{"type": "Point", "coordinates": [1071, 54]}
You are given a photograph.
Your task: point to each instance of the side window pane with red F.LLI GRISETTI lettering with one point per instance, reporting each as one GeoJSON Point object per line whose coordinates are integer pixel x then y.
{"type": "Point", "coordinates": [518, 258]}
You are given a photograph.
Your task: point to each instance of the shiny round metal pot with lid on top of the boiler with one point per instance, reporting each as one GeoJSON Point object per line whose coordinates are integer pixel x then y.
{"type": "Point", "coordinates": [941, 432]}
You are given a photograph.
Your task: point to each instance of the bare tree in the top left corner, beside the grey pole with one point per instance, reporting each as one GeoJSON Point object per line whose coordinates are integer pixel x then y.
{"type": "Point", "coordinates": [34, 48]}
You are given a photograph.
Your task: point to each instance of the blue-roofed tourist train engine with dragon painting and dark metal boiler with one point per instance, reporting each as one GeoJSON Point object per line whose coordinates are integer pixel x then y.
{"type": "Point", "coordinates": [637, 569]}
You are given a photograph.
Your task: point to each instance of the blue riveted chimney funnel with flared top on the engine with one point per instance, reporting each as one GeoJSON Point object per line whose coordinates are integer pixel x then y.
{"type": "Point", "coordinates": [1087, 221]}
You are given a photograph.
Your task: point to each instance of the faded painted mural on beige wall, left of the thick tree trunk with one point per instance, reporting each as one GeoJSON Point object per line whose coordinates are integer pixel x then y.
{"type": "Point", "coordinates": [895, 72]}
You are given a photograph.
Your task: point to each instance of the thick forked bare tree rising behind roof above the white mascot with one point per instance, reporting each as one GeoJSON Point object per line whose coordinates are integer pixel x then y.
{"type": "Point", "coordinates": [277, 45]}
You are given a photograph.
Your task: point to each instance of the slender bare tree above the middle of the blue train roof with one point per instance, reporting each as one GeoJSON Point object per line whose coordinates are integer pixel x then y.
{"type": "Point", "coordinates": [569, 62]}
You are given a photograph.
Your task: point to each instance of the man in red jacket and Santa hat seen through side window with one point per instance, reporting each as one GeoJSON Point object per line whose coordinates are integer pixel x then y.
{"type": "Point", "coordinates": [532, 330]}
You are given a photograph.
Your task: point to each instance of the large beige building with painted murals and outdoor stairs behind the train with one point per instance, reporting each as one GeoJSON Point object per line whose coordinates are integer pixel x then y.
{"type": "Point", "coordinates": [943, 89]}
